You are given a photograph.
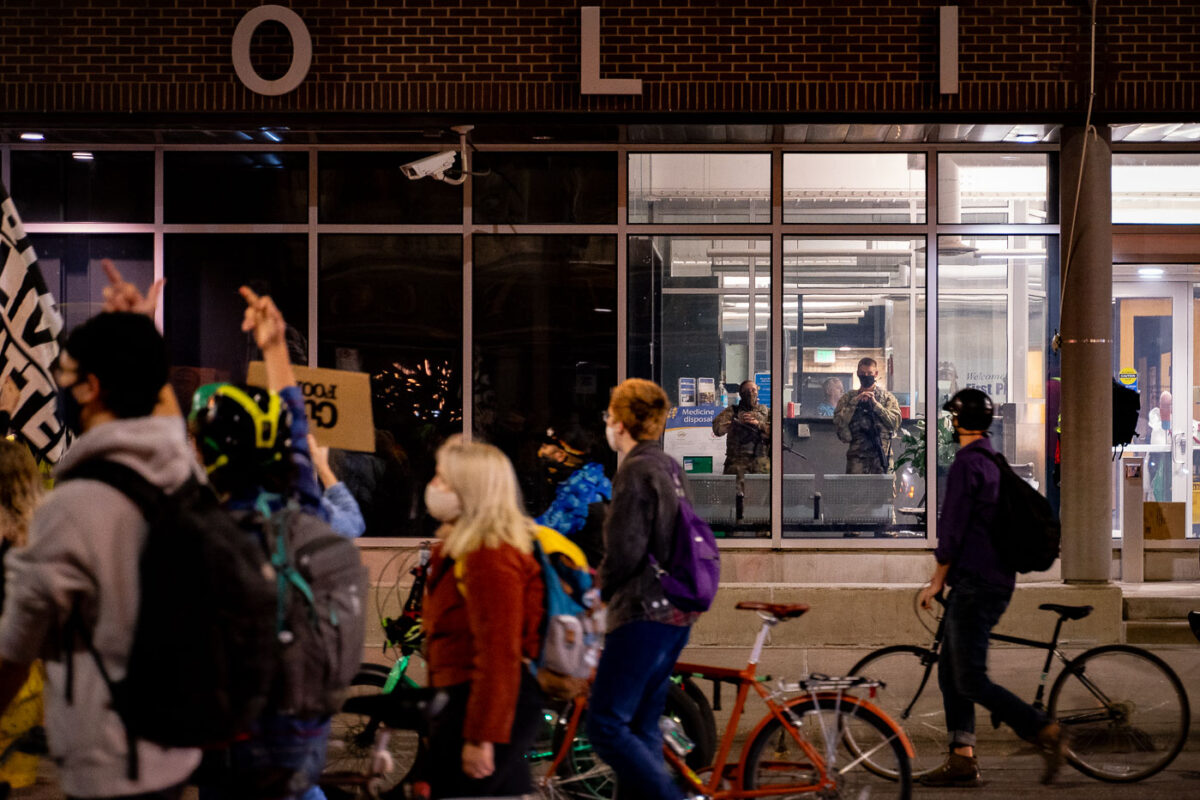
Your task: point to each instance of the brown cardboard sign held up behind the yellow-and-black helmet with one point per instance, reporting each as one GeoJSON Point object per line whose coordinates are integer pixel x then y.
{"type": "Point", "coordinates": [338, 402]}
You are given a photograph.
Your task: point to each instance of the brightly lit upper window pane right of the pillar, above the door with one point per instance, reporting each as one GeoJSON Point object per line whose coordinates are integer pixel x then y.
{"type": "Point", "coordinates": [1156, 189]}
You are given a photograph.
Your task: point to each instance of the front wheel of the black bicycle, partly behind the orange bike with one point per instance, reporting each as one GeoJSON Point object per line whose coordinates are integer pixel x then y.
{"type": "Point", "coordinates": [911, 697]}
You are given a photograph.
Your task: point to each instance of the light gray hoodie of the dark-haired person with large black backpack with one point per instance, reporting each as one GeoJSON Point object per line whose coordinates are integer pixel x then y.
{"type": "Point", "coordinates": [83, 549]}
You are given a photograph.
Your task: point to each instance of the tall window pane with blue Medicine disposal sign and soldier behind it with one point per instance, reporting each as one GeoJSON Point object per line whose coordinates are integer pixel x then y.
{"type": "Point", "coordinates": [700, 326]}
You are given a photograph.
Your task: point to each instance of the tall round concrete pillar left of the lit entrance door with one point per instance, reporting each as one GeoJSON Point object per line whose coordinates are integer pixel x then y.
{"type": "Point", "coordinates": [1087, 329]}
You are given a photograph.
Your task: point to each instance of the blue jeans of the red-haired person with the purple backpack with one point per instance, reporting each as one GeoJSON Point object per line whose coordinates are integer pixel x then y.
{"type": "Point", "coordinates": [628, 697]}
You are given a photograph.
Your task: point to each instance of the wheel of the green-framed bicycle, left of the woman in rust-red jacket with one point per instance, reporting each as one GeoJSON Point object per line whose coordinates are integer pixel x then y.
{"type": "Point", "coordinates": [351, 738]}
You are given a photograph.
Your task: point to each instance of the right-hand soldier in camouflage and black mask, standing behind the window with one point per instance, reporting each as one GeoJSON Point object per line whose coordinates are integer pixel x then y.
{"type": "Point", "coordinates": [868, 418]}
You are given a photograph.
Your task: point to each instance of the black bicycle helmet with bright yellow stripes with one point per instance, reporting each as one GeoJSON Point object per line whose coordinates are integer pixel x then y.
{"type": "Point", "coordinates": [247, 428]}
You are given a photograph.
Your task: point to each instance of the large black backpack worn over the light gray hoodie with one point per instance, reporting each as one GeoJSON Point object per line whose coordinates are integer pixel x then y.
{"type": "Point", "coordinates": [205, 645]}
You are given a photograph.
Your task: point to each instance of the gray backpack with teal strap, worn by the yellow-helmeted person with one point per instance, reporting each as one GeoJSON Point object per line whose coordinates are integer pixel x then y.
{"type": "Point", "coordinates": [320, 612]}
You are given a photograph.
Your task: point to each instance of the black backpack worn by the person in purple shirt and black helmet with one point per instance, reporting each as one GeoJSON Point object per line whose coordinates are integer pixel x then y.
{"type": "Point", "coordinates": [1027, 532]}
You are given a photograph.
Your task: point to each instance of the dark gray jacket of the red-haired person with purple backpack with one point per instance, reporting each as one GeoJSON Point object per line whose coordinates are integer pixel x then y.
{"type": "Point", "coordinates": [641, 521]}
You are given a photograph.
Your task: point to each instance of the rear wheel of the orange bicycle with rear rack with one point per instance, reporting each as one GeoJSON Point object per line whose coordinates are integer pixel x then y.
{"type": "Point", "coordinates": [777, 761]}
